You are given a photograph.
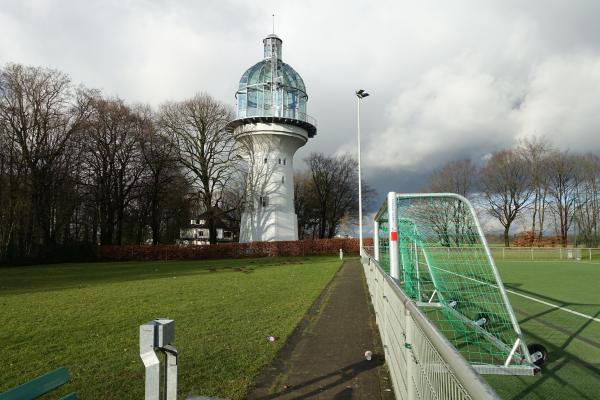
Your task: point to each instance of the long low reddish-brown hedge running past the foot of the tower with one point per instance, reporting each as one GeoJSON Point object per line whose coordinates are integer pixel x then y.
{"type": "Point", "coordinates": [230, 250]}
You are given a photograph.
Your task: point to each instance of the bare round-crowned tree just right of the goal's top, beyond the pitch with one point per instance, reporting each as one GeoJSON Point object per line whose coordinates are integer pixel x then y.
{"type": "Point", "coordinates": [506, 187]}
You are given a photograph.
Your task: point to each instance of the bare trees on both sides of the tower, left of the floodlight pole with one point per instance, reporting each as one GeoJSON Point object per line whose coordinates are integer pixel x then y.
{"type": "Point", "coordinates": [79, 168]}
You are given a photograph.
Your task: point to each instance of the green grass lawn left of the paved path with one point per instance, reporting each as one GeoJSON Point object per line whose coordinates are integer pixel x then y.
{"type": "Point", "coordinates": [86, 317]}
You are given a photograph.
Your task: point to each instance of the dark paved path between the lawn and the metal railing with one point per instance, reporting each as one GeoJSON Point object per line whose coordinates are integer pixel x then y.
{"type": "Point", "coordinates": [324, 357]}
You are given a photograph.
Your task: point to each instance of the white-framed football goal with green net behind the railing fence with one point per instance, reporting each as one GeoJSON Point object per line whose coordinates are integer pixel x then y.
{"type": "Point", "coordinates": [433, 246]}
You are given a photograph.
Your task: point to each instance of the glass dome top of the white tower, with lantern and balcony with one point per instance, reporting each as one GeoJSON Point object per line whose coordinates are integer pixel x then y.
{"type": "Point", "coordinates": [272, 90]}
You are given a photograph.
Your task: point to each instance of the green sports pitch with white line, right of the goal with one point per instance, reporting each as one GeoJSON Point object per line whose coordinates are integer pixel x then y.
{"type": "Point", "coordinates": [572, 340]}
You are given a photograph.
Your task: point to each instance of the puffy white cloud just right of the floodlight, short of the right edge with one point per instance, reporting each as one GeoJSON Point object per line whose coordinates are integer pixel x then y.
{"type": "Point", "coordinates": [451, 111]}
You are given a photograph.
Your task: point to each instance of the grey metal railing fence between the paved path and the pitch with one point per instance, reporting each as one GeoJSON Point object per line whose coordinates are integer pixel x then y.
{"type": "Point", "coordinates": [422, 362]}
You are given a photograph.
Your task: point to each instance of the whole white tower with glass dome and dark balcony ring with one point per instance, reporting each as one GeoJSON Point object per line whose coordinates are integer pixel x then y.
{"type": "Point", "coordinates": [271, 124]}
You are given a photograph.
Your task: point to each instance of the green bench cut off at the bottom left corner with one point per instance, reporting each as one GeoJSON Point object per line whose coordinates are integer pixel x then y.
{"type": "Point", "coordinates": [40, 386]}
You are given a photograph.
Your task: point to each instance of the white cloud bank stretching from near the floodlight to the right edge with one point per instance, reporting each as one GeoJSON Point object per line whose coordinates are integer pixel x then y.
{"type": "Point", "coordinates": [462, 110]}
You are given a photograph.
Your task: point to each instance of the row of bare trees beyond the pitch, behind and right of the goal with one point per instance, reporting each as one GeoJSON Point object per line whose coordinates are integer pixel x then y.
{"type": "Point", "coordinates": [551, 192]}
